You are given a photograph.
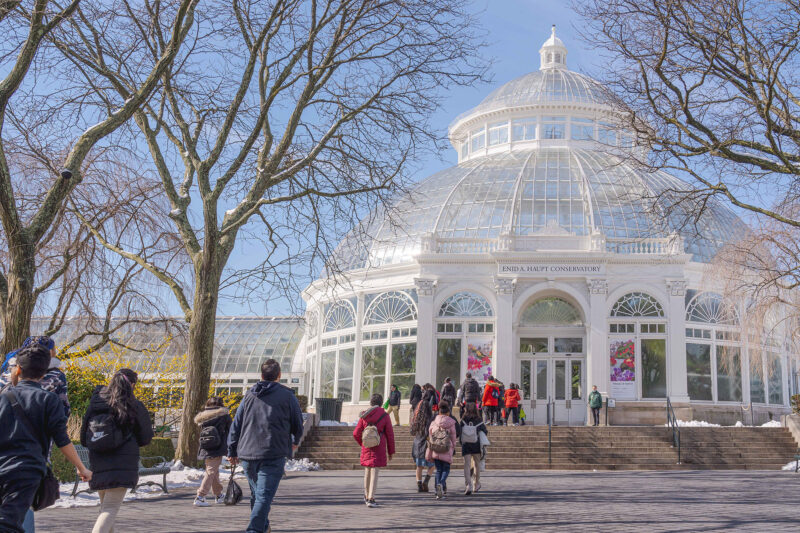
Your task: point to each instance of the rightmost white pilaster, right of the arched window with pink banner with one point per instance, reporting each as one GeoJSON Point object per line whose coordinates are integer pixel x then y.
{"type": "Point", "coordinates": [676, 341]}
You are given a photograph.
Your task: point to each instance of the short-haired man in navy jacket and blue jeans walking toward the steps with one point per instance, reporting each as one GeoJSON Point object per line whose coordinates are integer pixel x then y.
{"type": "Point", "coordinates": [266, 430]}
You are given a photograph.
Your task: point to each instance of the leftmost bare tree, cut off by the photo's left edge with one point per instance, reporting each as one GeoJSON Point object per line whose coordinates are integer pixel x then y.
{"type": "Point", "coordinates": [53, 124]}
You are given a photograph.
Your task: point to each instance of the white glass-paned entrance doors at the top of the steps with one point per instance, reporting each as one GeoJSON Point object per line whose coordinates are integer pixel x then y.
{"type": "Point", "coordinates": [556, 379]}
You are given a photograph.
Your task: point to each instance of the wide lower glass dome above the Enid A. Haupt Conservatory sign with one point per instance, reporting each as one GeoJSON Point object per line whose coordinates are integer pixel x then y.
{"type": "Point", "coordinates": [525, 192]}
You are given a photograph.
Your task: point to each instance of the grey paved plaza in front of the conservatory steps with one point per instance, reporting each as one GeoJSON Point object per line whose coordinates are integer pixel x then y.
{"type": "Point", "coordinates": [510, 501]}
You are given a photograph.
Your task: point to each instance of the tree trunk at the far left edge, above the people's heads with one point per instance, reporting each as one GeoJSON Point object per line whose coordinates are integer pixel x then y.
{"type": "Point", "coordinates": [18, 306]}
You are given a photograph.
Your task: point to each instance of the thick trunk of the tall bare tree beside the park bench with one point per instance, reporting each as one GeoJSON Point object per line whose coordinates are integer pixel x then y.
{"type": "Point", "coordinates": [201, 348]}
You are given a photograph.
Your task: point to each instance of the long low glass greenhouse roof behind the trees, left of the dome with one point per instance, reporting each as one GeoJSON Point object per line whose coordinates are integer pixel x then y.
{"type": "Point", "coordinates": [241, 344]}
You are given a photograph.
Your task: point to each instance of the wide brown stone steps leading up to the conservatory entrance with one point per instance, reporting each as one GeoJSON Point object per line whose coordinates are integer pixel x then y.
{"type": "Point", "coordinates": [584, 448]}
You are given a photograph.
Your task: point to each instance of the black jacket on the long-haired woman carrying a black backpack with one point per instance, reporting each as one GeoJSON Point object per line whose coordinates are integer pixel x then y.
{"type": "Point", "coordinates": [120, 467]}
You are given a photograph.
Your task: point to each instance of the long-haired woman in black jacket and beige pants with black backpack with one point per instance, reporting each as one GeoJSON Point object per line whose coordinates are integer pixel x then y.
{"type": "Point", "coordinates": [114, 427]}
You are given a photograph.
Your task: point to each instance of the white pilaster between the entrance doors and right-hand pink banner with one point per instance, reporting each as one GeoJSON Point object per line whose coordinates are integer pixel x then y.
{"type": "Point", "coordinates": [597, 361]}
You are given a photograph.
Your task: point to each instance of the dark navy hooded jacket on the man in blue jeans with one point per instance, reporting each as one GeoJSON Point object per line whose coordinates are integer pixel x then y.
{"type": "Point", "coordinates": [268, 422]}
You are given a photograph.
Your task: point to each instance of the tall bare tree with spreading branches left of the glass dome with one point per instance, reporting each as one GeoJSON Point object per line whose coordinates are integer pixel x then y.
{"type": "Point", "coordinates": [287, 119]}
